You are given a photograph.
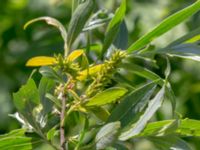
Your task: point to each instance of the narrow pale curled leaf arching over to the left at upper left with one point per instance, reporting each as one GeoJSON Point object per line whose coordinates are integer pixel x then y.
{"type": "Point", "coordinates": [53, 22]}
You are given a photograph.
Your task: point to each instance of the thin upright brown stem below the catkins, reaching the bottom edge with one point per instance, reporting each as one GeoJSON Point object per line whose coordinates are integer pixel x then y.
{"type": "Point", "coordinates": [62, 120]}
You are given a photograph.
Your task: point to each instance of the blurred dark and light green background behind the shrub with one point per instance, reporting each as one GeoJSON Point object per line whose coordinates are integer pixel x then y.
{"type": "Point", "coordinates": [18, 45]}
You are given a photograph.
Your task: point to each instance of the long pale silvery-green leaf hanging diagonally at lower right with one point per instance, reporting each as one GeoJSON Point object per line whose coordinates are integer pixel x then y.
{"type": "Point", "coordinates": [136, 128]}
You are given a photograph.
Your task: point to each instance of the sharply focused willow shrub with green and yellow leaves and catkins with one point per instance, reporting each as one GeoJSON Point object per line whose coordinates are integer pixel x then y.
{"type": "Point", "coordinates": [86, 98]}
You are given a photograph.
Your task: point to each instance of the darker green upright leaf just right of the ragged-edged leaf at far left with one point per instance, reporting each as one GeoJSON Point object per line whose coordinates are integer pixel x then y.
{"type": "Point", "coordinates": [46, 86]}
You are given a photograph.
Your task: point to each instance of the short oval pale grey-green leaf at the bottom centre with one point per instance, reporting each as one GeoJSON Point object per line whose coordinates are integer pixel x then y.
{"type": "Point", "coordinates": [107, 135]}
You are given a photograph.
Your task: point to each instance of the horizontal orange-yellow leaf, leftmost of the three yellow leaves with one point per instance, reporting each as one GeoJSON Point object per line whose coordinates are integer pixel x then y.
{"type": "Point", "coordinates": [41, 61]}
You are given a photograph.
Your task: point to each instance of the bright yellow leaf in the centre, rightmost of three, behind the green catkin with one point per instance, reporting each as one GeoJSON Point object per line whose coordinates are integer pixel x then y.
{"type": "Point", "coordinates": [92, 71]}
